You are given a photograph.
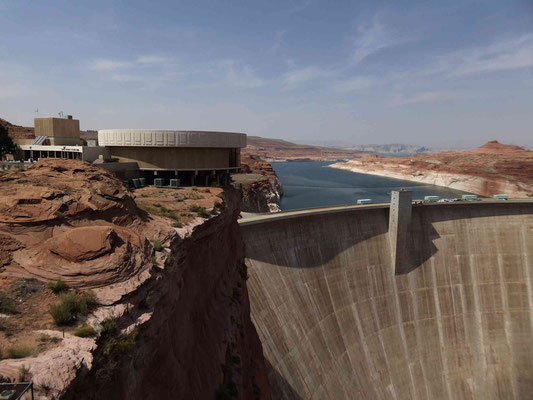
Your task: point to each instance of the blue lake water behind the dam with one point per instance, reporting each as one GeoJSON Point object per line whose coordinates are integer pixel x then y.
{"type": "Point", "coordinates": [309, 184]}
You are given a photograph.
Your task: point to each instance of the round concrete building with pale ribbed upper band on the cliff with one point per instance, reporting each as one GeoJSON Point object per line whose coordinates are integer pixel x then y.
{"type": "Point", "coordinates": [175, 153]}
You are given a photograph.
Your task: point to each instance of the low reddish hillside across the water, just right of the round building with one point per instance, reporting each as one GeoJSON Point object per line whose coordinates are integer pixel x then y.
{"type": "Point", "coordinates": [281, 150]}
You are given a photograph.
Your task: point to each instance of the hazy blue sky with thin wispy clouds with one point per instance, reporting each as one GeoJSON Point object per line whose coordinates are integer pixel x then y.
{"type": "Point", "coordinates": [435, 73]}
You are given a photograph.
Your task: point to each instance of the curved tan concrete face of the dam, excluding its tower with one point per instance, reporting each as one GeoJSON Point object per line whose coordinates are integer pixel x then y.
{"type": "Point", "coordinates": [337, 323]}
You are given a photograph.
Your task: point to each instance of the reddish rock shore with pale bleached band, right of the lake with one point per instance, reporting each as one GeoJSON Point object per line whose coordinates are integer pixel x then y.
{"type": "Point", "coordinates": [491, 169]}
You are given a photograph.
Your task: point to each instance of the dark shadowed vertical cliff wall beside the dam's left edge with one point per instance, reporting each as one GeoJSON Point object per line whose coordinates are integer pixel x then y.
{"type": "Point", "coordinates": [198, 341]}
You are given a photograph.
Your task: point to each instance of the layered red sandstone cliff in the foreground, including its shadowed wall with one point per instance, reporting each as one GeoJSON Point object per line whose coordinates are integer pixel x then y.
{"type": "Point", "coordinates": [172, 322]}
